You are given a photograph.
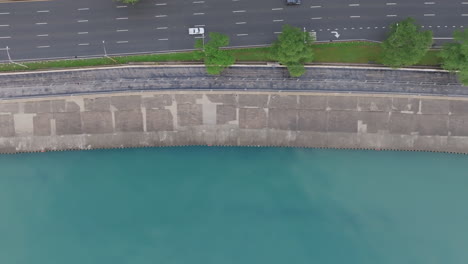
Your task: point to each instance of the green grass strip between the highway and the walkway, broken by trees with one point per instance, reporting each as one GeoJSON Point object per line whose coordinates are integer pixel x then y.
{"type": "Point", "coordinates": [334, 52]}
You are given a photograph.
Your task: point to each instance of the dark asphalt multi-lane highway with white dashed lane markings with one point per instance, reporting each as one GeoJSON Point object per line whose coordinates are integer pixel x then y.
{"type": "Point", "coordinates": [69, 28]}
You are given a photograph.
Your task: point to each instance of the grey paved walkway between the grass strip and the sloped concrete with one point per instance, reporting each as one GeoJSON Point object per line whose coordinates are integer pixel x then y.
{"type": "Point", "coordinates": [143, 78]}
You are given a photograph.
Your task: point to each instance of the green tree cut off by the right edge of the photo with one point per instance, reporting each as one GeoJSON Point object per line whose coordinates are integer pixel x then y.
{"type": "Point", "coordinates": [455, 55]}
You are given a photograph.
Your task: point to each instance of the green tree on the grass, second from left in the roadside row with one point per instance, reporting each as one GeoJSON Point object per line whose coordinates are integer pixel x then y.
{"type": "Point", "coordinates": [292, 49]}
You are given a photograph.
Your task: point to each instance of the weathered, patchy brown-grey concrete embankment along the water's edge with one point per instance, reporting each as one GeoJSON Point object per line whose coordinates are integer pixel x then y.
{"type": "Point", "coordinates": [236, 119]}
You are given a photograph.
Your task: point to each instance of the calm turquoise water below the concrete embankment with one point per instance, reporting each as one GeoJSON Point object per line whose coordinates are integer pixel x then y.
{"type": "Point", "coordinates": [233, 205]}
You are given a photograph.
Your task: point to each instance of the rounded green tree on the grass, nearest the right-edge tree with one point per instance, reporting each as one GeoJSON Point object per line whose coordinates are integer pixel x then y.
{"type": "Point", "coordinates": [406, 44]}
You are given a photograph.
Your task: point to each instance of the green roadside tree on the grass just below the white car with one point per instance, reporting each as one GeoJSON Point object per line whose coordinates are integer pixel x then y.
{"type": "Point", "coordinates": [216, 59]}
